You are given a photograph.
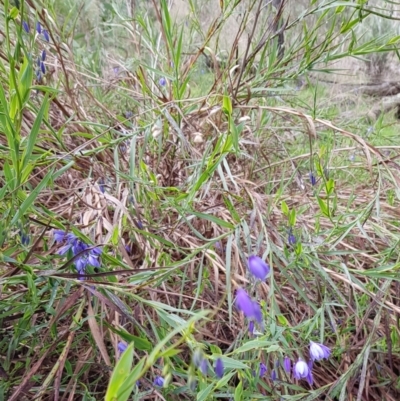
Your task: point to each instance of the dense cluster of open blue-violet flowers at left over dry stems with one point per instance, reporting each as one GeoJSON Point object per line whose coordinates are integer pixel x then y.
{"type": "Point", "coordinates": [87, 255]}
